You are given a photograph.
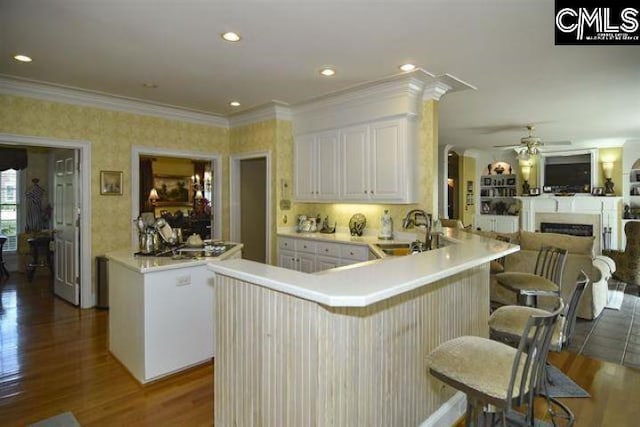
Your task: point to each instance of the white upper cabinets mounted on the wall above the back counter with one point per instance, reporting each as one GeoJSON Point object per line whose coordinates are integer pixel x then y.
{"type": "Point", "coordinates": [373, 164]}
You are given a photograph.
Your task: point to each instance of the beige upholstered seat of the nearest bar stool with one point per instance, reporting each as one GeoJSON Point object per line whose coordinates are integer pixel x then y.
{"type": "Point", "coordinates": [477, 364]}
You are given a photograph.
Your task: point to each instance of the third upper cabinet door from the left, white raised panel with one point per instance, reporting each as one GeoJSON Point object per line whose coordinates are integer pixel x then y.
{"type": "Point", "coordinates": [354, 149]}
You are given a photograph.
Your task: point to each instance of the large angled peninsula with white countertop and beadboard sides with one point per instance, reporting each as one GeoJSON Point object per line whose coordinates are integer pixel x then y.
{"type": "Point", "coordinates": [347, 346]}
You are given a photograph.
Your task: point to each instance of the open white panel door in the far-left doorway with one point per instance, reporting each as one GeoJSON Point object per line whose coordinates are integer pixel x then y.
{"type": "Point", "coordinates": [66, 225]}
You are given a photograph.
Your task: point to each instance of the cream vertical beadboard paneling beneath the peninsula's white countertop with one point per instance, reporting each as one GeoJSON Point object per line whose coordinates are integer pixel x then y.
{"type": "Point", "coordinates": [282, 360]}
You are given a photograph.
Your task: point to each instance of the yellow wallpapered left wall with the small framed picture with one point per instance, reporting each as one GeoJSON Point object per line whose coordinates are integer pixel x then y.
{"type": "Point", "coordinates": [111, 134]}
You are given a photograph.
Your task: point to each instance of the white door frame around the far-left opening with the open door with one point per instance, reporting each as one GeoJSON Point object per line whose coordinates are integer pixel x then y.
{"type": "Point", "coordinates": [87, 297]}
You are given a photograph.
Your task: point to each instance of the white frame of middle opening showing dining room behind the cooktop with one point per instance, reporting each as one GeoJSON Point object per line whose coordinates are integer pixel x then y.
{"type": "Point", "coordinates": [216, 164]}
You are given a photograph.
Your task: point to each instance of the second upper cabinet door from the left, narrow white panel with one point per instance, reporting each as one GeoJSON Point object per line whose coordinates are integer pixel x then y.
{"type": "Point", "coordinates": [327, 166]}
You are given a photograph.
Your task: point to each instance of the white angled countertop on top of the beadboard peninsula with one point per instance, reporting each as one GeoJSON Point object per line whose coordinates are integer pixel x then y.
{"type": "Point", "coordinates": [366, 283]}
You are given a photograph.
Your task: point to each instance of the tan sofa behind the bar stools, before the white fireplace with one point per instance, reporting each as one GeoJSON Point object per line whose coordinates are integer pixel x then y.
{"type": "Point", "coordinates": [580, 257]}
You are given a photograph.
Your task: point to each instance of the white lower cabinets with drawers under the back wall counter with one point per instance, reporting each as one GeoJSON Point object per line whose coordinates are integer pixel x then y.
{"type": "Point", "coordinates": [310, 256]}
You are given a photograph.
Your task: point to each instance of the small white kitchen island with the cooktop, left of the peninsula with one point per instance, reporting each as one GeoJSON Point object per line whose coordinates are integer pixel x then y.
{"type": "Point", "coordinates": [161, 312]}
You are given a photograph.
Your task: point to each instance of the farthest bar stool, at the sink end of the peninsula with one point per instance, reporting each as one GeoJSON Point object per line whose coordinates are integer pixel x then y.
{"type": "Point", "coordinates": [546, 280]}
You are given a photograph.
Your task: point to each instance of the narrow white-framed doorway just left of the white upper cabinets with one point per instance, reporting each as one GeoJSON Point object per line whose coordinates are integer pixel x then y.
{"type": "Point", "coordinates": [251, 205]}
